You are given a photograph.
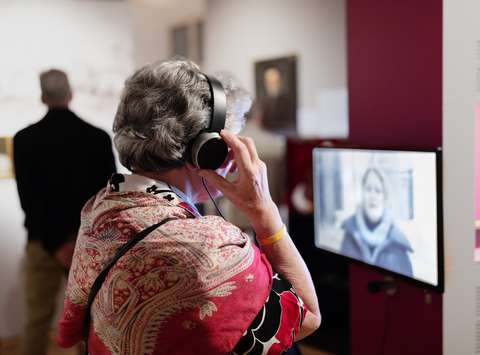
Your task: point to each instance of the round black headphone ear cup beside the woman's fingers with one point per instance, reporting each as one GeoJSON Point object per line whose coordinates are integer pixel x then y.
{"type": "Point", "coordinates": [208, 151]}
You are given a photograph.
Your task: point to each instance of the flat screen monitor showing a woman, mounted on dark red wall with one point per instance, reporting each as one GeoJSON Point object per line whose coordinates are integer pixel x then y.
{"type": "Point", "coordinates": [382, 208]}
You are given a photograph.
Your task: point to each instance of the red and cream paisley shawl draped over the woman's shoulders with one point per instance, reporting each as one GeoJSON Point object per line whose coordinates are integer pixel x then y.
{"type": "Point", "coordinates": [191, 287]}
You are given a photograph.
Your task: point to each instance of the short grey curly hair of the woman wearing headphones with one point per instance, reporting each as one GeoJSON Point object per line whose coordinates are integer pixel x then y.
{"type": "Point", "coordinates": [163, 107]}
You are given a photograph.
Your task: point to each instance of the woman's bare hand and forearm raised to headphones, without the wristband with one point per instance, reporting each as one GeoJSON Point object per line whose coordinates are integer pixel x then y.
{"type": "Point", "coordinates": [249, 193]}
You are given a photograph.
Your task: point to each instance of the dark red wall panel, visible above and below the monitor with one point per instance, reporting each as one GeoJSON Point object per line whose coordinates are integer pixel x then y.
{"type": "Point", "coordinates": [395, 99]}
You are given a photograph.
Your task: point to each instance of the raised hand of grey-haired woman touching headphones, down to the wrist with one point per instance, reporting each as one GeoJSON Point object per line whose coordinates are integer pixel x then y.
{"type": "Point", "coordinates": [249, 192]}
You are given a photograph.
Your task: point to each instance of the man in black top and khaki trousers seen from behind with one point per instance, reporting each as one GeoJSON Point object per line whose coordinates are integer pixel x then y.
{"type": "Point", "coordinates": [60, 162]}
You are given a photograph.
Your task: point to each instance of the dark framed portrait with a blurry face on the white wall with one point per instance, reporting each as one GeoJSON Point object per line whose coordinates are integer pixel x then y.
{"type": "Point", "coordinates": [276, 93]}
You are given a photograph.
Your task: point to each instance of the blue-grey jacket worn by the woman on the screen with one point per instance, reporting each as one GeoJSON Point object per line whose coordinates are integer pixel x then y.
{"type": "Point", "coordinates": [391, 254]}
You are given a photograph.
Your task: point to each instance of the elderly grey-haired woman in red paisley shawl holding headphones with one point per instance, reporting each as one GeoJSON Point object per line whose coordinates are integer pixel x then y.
{"type": "Point", "coordinates": [196, 284]}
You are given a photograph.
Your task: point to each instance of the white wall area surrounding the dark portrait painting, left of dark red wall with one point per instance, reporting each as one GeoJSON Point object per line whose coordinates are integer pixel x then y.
{"type": "Point", "coordinates": [238, 33]}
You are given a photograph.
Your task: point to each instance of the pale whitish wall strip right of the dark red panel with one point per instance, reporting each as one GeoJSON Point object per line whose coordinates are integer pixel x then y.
{"type": "Point", "coordinates": [461, 92]}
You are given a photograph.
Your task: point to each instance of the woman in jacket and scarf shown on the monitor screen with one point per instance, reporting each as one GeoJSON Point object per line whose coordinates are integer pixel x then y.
{"type": "Point", "coordinates": [371, 234]}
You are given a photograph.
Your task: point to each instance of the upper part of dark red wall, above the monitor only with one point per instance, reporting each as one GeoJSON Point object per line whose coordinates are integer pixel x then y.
{"type": "Point", "coordinates": [395, 72]}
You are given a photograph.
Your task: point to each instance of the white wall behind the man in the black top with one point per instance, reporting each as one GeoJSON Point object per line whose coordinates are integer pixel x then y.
{"type": "Point", "coordinates": [92, 42]}
